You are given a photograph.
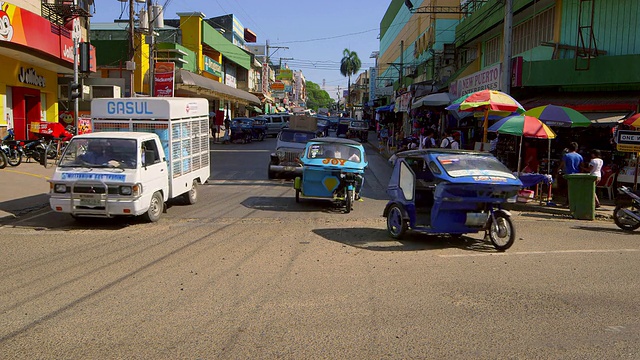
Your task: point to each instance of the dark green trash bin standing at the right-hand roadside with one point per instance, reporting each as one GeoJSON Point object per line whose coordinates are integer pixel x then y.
{"type": "Point", "coordinates": [582, 190]}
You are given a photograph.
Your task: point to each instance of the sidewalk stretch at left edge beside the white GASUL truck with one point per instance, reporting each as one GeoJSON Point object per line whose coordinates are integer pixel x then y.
{"type": "Point", "coordinates": [24, 188]}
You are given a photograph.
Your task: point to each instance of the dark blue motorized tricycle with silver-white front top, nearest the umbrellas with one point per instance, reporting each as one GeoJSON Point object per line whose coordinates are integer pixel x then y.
{"type": "Point", "coordinates": [455, 192]}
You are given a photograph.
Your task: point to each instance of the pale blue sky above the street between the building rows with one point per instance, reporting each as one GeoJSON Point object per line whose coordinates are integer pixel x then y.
{"type": "Point", "coordinates": [315, 32]}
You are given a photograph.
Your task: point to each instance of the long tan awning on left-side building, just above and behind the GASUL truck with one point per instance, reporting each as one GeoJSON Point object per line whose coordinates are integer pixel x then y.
{"type": "Point", "coordinates": [191, 82]}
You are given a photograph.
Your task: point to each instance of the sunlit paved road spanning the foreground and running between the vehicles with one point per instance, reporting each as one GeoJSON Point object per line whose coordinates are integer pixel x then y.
{"type": "Point", "coordinates": [248, 273]}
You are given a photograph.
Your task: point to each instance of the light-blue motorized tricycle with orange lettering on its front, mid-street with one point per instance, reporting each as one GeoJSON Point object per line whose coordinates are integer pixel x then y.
{"type": "Point", "coordinates": [333, 169]}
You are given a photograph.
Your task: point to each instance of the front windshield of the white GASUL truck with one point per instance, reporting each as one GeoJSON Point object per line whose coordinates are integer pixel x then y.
{"type": "Point", "coordinates": [100, 153]}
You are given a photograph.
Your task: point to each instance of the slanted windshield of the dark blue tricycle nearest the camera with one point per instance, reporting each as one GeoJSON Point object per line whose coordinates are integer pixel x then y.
{"type": "Point", "coordinates": [459, 165]}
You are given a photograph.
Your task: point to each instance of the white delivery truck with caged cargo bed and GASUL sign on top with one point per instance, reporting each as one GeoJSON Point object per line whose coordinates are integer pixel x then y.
{"type": "Point", "coordinates": [141, 153]}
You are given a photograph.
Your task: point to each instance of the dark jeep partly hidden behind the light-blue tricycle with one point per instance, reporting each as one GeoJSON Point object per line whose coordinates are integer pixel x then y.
{"type": "Point", "coordinates": [285, 161]}
